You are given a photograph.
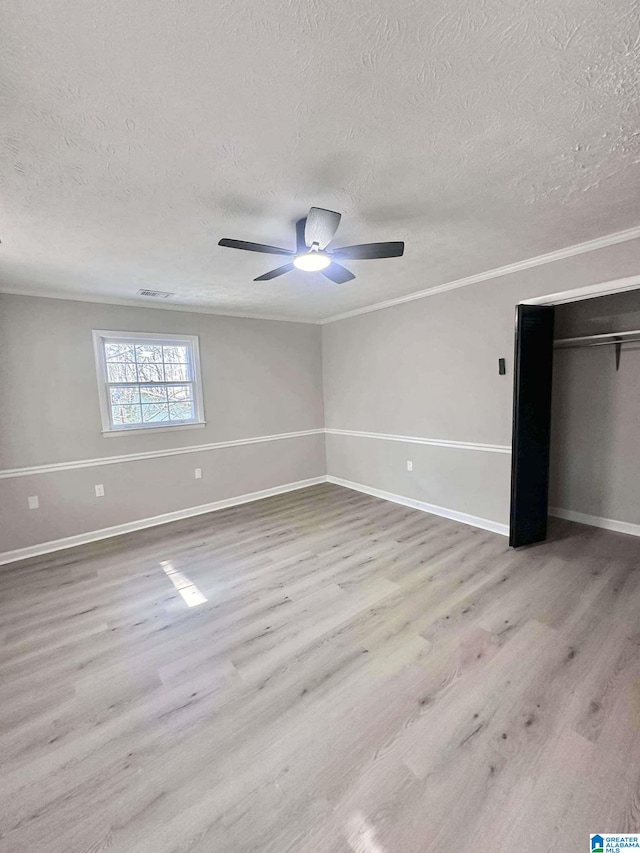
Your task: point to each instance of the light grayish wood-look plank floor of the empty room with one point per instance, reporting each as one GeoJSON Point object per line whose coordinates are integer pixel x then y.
{"type": "Point", "coordinates": [361, 677]}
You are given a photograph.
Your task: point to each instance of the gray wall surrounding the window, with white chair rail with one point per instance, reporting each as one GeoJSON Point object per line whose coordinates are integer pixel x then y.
{"type": "Point", "coordinates": [259, 378]}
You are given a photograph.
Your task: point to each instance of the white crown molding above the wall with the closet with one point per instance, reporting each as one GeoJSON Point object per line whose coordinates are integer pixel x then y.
{"type": "Point", "coordinates": [539, 260]}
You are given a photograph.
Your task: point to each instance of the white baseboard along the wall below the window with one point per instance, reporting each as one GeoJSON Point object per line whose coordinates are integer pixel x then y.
{"type": "Point", "coordinates": [141, 524]}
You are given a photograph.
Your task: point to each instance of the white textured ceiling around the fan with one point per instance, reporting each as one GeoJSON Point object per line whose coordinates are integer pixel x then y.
{"type": "Point", "coordinates": [136, 134]}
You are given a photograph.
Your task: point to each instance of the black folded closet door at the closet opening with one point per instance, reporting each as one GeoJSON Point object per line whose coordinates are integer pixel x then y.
{"type": "Point", "coordinates": [531, 424]}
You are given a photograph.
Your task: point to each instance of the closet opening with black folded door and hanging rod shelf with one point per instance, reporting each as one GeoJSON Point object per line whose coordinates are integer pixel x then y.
{"type": "Point", "coordinates": [576, 414]}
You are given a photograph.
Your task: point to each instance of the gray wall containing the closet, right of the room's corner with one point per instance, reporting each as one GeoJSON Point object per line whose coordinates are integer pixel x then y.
{"type": "Point", "coordinates": [429, 369]}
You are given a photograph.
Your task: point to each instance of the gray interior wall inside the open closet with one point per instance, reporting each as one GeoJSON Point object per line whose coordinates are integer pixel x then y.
{"type": "Point", "coordinates": [595, 440]}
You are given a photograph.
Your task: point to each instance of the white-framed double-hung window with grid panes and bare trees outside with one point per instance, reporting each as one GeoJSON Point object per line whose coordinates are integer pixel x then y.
{"type": "Point", "coordinates": [148, 381]}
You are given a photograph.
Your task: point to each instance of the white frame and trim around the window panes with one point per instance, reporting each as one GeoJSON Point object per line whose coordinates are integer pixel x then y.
{"type": "Point", "coordinates": [109, 429]}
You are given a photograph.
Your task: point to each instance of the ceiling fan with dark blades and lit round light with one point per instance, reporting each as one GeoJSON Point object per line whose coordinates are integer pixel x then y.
{"type": "Point", "coordinates": [313, 235]}
